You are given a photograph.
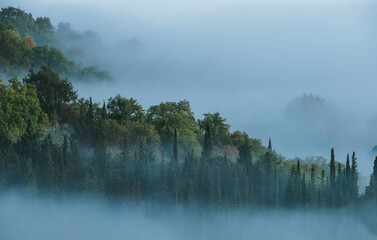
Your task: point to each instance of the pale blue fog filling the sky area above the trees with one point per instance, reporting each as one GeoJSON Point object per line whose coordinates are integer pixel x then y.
{"type": "Point", "coordinates": [248, 60]}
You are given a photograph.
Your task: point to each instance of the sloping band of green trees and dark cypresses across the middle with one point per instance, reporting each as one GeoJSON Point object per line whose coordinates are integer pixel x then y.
{"type": "Point", "coordinates": [53, 143]}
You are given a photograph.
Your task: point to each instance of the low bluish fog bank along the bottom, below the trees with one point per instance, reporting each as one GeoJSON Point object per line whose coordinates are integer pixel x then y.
{"type": "Point", "coordinates": [83, 219]}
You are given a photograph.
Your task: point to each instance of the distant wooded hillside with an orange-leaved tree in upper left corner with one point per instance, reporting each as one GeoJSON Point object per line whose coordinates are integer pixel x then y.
{"type": "Point", "coordinates": [28, 43]}
